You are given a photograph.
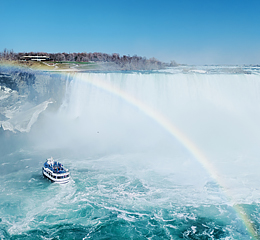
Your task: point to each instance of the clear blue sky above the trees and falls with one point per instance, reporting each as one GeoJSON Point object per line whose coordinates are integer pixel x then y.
{"type": "Point", "coordinates": [187, 31]}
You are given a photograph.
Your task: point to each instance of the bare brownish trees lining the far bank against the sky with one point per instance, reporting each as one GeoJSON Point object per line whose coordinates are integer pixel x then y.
{"type": "Point", "coordinates": [122, 62]}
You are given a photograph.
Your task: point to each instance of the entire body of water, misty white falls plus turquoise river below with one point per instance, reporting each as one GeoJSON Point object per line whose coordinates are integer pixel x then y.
{"type": "Point", "coordinates": [152, 155]}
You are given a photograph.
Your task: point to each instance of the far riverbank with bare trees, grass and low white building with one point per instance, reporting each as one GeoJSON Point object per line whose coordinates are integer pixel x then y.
{"type": "Point", "coordinates": [82, 61]}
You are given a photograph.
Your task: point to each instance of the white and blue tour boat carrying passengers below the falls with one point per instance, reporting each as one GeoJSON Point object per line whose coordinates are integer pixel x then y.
{"type": "Point", "coordinates": [55, 171]}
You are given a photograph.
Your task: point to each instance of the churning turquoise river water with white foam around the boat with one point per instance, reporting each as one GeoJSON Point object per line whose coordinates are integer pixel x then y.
{"type": "Point", "coordinates": [107, 201]}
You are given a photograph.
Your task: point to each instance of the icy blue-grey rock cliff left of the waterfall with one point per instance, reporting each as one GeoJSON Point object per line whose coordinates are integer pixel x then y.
{"type": "Point", "coordinates": [25, 94]}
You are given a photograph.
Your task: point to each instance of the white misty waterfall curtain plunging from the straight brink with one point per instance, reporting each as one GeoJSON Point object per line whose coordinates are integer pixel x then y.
{"type": "Point", "coordinates": [106, 113]}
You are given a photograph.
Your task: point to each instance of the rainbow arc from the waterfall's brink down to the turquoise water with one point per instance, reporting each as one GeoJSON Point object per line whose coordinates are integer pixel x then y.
{"type": "Point", "coordinates": [177, 134]}
